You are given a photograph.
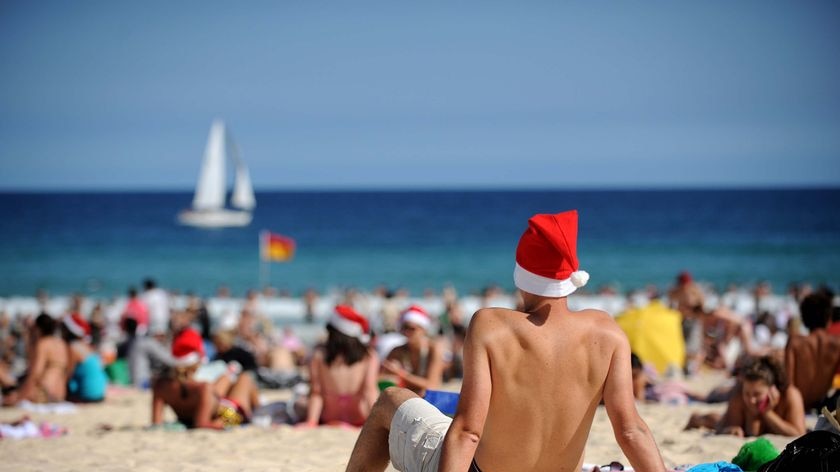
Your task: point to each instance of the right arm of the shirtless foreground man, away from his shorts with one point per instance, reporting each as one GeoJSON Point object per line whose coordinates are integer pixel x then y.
{"type": "Point", "coordinates": [631, 432]}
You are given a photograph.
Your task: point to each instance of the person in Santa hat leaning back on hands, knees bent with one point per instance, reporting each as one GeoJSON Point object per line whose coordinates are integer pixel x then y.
{"type": "Point", "coordinates": [229, 401]}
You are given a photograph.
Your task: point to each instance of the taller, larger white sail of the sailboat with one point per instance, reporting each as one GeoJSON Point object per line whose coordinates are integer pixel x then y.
{"type": "Point", "coordinates": [210, 191]}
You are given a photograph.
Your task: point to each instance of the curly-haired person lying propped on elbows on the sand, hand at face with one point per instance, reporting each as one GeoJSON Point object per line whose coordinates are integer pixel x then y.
{"type": "Point", "coordinates": [762, 403]}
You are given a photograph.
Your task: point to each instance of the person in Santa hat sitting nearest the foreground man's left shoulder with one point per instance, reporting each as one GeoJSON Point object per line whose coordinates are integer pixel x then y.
{"type": "Point", "coordinates": [419, 363]}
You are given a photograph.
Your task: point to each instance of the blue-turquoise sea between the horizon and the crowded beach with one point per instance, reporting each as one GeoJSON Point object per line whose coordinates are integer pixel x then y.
{"type": "Point", "coordinates": [99, 244]}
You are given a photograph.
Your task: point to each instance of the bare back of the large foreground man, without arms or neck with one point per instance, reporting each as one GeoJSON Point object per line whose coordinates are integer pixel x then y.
{"type": "Point", "coordinates": [559, 359]}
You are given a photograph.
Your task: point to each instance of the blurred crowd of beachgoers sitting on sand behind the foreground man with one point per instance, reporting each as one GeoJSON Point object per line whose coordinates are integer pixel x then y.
{"type": "Point", "coordinates": [783, 362]}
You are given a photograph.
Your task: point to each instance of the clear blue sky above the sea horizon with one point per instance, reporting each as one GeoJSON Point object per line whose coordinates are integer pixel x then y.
{"type": "Point", "coordinates": [405, 95]}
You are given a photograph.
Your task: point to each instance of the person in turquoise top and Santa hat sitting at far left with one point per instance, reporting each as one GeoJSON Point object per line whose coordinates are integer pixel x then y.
{"type": "Point", "coordinates": [86, 380]}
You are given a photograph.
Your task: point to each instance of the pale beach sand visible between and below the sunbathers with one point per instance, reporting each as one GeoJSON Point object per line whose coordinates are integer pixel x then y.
{"type": "Point", "coordinates": [113, 435]}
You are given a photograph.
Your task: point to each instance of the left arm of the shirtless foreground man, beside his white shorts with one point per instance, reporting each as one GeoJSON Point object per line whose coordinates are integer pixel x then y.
{"type": "Point", "coordinates": [462, 438]}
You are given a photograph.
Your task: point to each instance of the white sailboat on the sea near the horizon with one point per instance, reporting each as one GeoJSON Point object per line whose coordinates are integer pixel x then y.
{"type": "Point", "coordinates": [208, 207]}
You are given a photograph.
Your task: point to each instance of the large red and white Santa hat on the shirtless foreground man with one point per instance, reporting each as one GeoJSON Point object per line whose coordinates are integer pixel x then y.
{"type": "Point", "coordinates": [546, 258]}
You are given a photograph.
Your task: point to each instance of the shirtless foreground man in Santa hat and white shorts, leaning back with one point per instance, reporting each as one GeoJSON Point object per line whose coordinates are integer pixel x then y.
{"type": "Point", "coordinates": [532, 381]}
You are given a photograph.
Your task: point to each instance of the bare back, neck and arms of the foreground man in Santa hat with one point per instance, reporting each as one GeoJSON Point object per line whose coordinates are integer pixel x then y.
{"type": "Point", "coordinates": [549, 370]}
